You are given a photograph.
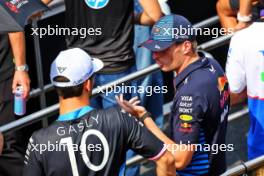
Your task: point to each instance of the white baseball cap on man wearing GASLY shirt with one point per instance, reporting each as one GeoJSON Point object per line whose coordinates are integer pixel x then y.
{"type": "Point", "coordinates": [74, 64]}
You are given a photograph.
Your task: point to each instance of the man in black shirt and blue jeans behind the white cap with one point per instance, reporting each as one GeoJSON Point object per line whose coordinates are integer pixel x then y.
{"type": "Point", "coordinates": [112, 42]}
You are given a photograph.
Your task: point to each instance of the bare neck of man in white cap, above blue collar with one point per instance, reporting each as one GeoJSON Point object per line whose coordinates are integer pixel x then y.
{"type": "Point", "coordinates": [72, 104]}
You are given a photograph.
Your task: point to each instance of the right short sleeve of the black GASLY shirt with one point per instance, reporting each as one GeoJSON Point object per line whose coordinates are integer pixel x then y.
{"type": "Point", "coordinates": [141, 140]}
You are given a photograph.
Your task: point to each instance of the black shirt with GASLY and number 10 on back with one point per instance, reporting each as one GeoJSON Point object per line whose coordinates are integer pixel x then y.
{"type": "Point", "coordinates": [105, 136]}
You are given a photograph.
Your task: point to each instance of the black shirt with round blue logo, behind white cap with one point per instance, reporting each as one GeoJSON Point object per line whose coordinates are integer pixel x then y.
{"type": "Point", "coordinates": [110, 23]}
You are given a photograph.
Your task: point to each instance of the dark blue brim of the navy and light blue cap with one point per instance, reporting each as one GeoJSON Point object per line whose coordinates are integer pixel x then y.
{"type": "Point", "coordinates": [156, 45]}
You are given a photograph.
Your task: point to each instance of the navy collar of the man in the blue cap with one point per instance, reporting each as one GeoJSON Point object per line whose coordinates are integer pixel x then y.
{"type": "Point", "coordinates": [201, 62]}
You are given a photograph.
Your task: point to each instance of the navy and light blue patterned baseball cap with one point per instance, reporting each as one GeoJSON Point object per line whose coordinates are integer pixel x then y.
{"type": "Point", "coordinates": [168, 30]}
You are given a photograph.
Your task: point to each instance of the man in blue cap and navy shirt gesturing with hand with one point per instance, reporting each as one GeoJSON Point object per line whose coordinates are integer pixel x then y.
{"type": "Point", "coordinates": [198, 119]}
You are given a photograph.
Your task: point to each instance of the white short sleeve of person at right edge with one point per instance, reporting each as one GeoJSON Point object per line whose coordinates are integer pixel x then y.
{"type": "Point", "coordinates": [235, 70]}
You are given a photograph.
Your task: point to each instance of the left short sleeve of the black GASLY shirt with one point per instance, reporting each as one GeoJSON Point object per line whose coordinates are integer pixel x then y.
{"type": "Point", "coordinates": [32, 164]}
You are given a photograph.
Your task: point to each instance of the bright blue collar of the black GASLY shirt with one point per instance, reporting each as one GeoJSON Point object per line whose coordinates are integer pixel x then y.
{"type": "Point", "coordinates": [75, 114]}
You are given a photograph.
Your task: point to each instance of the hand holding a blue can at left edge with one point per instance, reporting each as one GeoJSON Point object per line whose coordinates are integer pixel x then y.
{"type": "Point", "coordinates": [21, 78]}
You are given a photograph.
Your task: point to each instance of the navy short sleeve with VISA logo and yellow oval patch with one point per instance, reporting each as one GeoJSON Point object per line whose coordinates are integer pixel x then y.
{"type": "Point", "coordinates": [188, 113]}
